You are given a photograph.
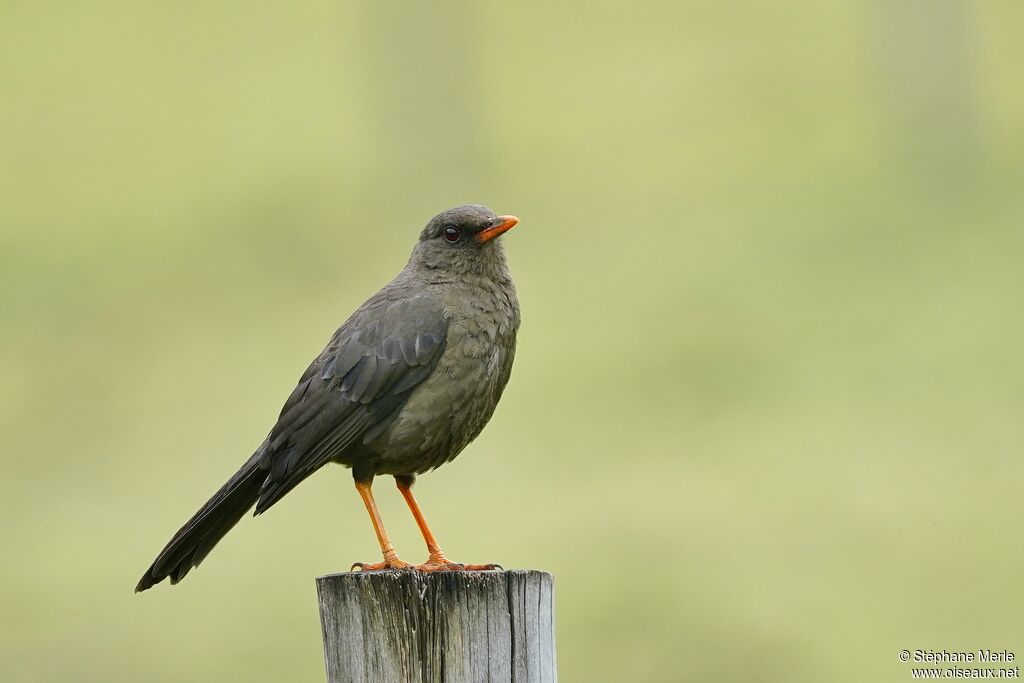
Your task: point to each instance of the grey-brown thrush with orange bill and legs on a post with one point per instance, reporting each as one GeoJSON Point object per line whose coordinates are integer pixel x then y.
{"type": "Point", "coordinates": [403, 388]}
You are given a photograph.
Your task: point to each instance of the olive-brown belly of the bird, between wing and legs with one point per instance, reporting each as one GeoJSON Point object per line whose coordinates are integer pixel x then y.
{"type": "Point", "coordinates": [449, 410]}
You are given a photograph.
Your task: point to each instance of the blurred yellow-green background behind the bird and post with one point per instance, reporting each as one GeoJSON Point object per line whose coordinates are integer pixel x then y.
{"type": "Point", "coordinates": [765, 422]}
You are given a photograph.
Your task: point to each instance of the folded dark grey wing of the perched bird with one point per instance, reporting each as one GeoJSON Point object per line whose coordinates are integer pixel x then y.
{"type": "Point", "coordinates": [355, 390]}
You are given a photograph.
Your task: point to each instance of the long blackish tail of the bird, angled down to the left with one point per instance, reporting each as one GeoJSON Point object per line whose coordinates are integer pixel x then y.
{"type": "Point", "coordinates": [201, 534]}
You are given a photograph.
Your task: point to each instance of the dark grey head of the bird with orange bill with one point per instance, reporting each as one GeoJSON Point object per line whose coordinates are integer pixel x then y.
{"type": "Point", "coordinates": [464, 240]}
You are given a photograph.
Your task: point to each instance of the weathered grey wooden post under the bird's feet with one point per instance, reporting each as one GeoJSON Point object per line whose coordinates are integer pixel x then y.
{"type": "Point", "coordinates": [451, 627]}
